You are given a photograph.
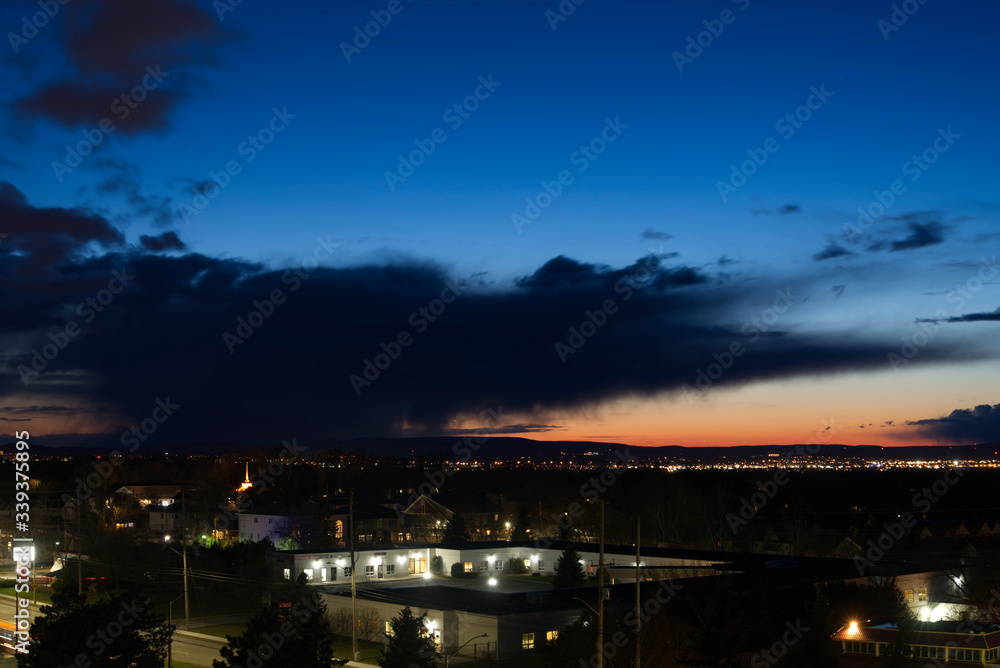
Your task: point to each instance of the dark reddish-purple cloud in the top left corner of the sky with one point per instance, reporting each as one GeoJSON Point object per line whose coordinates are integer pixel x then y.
{"type": "Point", "coordinates": [112, 46]}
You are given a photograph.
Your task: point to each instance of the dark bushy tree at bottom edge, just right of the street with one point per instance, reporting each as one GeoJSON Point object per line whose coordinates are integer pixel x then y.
{"type": "Point", "coordinates": [298, 638]}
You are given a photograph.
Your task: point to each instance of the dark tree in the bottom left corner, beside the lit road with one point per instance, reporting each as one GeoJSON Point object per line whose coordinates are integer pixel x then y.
{"type": "Point", "coordinates": [116, 632]}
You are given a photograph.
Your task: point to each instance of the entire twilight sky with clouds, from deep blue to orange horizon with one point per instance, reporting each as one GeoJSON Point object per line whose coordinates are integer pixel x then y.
{"type": "Point", "coordinates": [737, 222]}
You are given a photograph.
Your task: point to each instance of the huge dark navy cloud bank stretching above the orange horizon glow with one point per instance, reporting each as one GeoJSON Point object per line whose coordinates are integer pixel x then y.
{"type": "Point", "coordinates": [489, 347]}
